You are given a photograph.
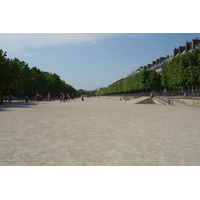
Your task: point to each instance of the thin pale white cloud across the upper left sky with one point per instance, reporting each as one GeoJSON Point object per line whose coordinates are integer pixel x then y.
{"type": "Point", "coordinates": [17, 42]}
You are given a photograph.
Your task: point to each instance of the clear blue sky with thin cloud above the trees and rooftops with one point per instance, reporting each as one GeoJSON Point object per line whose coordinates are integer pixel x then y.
{"type": "Point", "coordinates": [91, 60]}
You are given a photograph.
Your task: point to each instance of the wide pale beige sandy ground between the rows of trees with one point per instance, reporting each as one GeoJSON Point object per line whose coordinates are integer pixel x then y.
{"type": "Point", "coordinates": [100, 132]}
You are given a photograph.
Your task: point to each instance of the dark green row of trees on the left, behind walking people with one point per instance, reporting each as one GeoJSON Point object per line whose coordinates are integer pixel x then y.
{"type": "Point", "coordinates": [18, 79]}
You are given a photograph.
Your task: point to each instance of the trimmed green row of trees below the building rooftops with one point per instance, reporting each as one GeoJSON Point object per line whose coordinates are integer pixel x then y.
{"type": "Point", "coordinates": [183, 70]}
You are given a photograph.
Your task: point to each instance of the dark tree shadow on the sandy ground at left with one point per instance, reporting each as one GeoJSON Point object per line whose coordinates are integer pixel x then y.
{"type": "Point", "coordinates": [6, 105]}
